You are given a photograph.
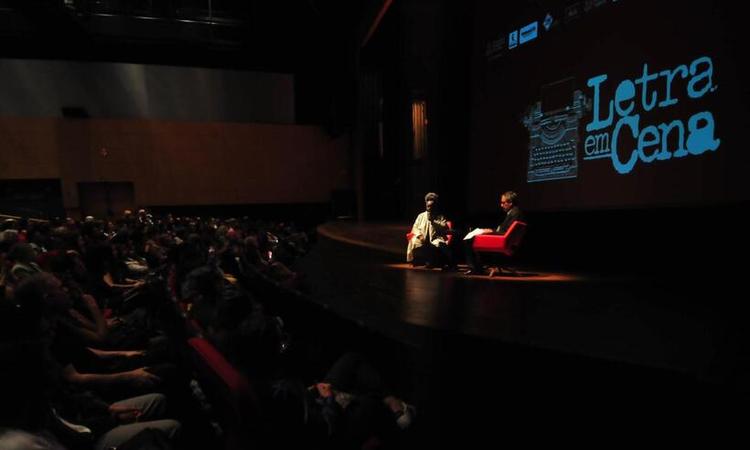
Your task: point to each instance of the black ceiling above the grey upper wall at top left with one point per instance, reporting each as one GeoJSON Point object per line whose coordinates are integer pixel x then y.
{"type": "Point", "coordinates": [278, 35]}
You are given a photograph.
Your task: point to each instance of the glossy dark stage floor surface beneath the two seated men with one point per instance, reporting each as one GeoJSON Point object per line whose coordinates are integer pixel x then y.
{"type": "Point", "coordinates": [359, 271]}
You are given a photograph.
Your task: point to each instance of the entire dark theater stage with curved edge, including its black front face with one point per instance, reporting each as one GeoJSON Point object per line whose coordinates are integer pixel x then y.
{"type": "Point", "coordinates": [547, 333]}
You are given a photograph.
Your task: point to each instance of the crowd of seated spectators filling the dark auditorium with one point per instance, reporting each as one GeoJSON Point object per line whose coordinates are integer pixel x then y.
{"type": "Point", "coordinates": [87, 312]}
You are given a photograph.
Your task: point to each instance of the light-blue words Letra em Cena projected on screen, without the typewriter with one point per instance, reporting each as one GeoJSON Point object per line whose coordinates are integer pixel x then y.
{"type": "Point", "coordinates": [630, 140]}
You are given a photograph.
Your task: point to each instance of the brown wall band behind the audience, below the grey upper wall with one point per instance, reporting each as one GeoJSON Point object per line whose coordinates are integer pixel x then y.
{"type": "Point", "coordinates": [178, 163]}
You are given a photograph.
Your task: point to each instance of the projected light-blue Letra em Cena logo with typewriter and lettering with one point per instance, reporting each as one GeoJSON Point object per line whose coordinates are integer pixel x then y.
{"type": "Point", "coordinates": [617, 131]}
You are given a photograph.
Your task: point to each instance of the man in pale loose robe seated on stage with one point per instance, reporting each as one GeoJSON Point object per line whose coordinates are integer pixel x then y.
{"type": "Point", "coordinates": [429, 241]}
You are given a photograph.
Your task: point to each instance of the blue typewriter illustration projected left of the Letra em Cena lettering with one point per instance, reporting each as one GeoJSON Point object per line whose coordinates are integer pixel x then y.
{"type": "Point", "coordinates": [553, 132]}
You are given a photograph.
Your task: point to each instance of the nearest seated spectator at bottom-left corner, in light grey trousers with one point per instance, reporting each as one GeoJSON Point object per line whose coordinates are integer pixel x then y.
{"type": "Point", "coordinates": [36, 394]}
